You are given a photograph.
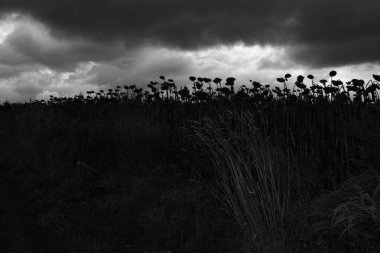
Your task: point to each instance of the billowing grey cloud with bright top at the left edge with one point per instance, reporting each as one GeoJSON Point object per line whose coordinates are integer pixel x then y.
{"type": "Point", "coordinates": [30, 44]}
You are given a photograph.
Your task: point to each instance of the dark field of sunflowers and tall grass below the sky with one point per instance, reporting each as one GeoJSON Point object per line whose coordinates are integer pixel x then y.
{"type": "Point", "coordinates": [213, 168]}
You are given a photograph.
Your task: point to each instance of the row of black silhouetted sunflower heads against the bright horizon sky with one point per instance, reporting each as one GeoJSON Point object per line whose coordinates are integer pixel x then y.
{"type": "Point", "coordinates": [205, 89]}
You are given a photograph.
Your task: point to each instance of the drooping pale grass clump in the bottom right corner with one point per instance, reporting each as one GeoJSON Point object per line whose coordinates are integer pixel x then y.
{"type": "Point", "coordinates": [349, 217]}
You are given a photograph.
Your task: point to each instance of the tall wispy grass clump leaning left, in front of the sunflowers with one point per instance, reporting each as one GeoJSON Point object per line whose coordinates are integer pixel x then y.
{"type": "Point", "coordinates": [253, 177]}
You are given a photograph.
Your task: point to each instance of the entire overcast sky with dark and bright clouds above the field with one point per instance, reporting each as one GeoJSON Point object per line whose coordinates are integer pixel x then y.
{"type": "Point", "coordinates": [63, 47]}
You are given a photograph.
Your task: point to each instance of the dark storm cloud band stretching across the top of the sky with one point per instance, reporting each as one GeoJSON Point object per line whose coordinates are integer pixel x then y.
{"type": "Point", "coordinates": [319, 33]}
